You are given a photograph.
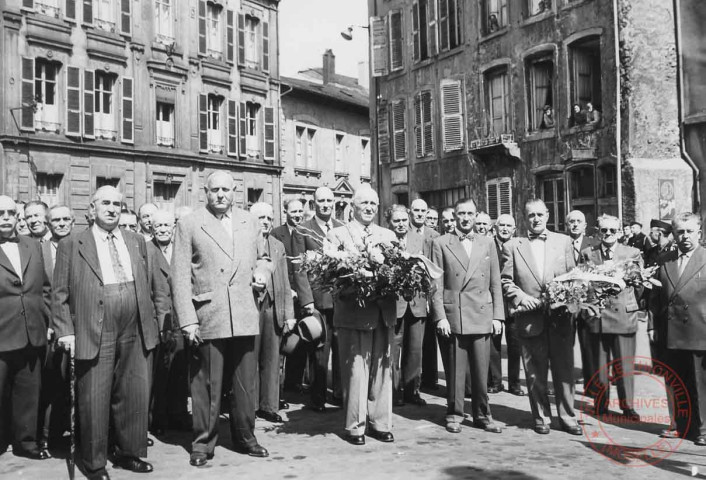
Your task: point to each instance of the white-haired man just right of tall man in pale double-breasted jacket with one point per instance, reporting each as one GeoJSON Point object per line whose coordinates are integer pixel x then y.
{"type": "Point", "coordinates": [276, 317]}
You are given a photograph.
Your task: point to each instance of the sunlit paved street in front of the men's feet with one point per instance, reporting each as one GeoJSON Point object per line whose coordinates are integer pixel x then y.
{"type": "Point", "coordinates": [309, 446]}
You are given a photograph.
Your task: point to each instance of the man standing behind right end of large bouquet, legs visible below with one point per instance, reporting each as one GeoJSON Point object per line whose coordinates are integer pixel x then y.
{"type": "Point", "coordinates": [411, 315]}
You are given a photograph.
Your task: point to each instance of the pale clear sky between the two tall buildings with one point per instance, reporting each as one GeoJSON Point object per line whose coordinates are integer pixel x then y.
{"type": "Point", "coordinates": [309, 27]}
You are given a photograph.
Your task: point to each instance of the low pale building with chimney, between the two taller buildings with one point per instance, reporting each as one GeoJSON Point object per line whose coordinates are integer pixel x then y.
{"type": "Point", "coordinates": [326, 135]}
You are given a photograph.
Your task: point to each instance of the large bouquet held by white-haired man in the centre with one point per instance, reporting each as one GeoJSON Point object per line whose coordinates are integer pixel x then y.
{"type": "Point", "coordinates": [368, 272]}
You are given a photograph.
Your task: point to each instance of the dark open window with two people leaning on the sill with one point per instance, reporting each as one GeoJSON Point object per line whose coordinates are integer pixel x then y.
{"type": "Point", "coordinates": [585, 71]}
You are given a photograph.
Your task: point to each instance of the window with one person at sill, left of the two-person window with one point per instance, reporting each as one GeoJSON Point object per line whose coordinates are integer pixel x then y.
{"type": "Point", "coordinates": [540, 92]}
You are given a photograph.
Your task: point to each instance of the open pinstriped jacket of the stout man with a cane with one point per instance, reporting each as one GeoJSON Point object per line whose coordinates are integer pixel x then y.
{"type": "Point", "coordinates": [78, 292]}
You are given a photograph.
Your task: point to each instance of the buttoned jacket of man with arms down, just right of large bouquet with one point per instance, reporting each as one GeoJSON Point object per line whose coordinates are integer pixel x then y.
{"type": "Point", "coordinates": [469, 293]}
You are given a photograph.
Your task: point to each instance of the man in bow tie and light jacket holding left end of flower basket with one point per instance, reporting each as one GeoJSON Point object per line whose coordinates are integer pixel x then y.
{"type": "Point", "coordinates": [529, 263]}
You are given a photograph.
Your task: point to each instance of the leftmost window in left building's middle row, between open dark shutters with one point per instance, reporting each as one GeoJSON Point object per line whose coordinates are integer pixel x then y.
{"type": "Point", "coordinates": [46, 116]}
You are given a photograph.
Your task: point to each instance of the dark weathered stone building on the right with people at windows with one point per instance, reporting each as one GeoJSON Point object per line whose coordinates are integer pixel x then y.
{"type": "Point", "coordinates": [474, 98]}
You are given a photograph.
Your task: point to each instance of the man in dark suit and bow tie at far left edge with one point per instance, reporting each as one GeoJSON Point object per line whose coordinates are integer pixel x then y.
{"type": "Point", "coordinates": [24, 315]}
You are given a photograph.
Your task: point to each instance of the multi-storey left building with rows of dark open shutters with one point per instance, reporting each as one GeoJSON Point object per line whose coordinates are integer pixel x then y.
{"type": "Point", "coordinates": [147, 96]}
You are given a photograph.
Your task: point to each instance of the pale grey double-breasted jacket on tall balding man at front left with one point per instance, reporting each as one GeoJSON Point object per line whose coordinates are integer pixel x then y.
{"type": "Point", "coordinates": [212, 273]}
